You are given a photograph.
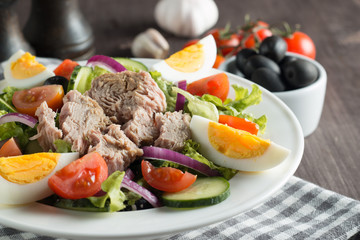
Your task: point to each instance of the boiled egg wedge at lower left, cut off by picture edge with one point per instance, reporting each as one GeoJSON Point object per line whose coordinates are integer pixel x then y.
{"type": "Point", "coordinates": [24, 179]}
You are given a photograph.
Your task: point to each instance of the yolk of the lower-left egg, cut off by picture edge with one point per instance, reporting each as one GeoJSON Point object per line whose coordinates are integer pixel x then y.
{"type": "Point", "coordinates": [28, 168]}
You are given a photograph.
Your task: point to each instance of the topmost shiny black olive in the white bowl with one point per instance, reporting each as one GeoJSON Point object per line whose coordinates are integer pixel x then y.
{"type": "Point", "coordinates": [273, 47]}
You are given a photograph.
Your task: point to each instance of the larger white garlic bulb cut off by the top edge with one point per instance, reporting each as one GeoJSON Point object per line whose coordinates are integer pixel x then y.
{"type": "Point", "coordinates": [187, 18]}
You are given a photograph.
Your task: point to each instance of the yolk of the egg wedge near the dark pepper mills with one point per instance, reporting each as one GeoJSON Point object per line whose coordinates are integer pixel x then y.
{"type": "Point", "coordinates": [26, 66]}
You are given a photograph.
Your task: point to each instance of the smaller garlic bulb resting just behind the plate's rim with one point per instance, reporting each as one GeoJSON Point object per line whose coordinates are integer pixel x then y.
{"type": "Point", "coordinates": [150, 44]}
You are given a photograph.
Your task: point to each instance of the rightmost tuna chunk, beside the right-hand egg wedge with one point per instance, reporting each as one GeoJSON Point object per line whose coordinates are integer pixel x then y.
{"type": "Point", "coordinates": [174, 130]}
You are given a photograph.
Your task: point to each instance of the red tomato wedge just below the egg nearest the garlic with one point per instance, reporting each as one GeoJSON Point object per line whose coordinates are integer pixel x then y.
{"type": "Point", "coordinates": [217, 85]}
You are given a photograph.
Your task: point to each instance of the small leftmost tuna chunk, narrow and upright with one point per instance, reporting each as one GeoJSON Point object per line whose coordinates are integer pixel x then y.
{"type": "Point", "coordinates": [47, 130]}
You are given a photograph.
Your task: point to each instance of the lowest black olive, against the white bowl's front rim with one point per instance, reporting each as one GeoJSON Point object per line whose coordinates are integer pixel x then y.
{"type": "Point", "coordinates": [268, 79]}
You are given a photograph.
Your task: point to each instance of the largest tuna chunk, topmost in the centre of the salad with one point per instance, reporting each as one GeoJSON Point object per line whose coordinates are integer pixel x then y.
{"type": "Point", "coordinates": [122, 94]}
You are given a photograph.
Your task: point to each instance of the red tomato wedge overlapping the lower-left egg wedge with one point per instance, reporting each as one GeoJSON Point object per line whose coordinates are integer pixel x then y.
{"type": "Point", "coordinates": [81, 178]}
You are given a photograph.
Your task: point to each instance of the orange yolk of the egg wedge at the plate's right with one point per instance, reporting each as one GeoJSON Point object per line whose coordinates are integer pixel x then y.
{"type": "Point", "coordinates": [235, 143]}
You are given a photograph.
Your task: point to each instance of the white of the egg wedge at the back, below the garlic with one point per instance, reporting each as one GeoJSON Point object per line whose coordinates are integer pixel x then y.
{"type": "Point", "coordinates": [173, 75]}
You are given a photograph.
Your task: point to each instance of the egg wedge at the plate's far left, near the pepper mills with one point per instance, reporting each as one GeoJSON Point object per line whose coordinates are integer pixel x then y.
{"type": "Point", "coordinates": [22, 70]}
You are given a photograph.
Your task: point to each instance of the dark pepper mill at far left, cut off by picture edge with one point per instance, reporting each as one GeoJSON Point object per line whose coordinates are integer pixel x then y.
{"type": "Point", "coordinates": [11, 37]}
